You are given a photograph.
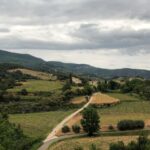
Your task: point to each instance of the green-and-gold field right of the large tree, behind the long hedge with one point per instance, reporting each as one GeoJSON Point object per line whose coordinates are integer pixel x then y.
{"type": "Point", "coordinates": [130, 108]}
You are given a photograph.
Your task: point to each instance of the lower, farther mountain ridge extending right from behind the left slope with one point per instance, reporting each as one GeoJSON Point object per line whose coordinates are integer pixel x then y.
{"type": "Point", "coordinates": [83, 69]}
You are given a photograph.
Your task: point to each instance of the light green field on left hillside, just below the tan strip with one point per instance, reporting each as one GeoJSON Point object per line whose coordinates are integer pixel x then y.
{"type": "Point", "coordinates": [38, 85]}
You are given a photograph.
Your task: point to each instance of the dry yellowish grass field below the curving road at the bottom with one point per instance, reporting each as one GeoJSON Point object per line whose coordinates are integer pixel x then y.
{"type": "Point", "coordinates": [85, 142]}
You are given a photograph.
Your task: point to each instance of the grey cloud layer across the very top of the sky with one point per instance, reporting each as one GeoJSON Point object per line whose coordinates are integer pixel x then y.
{"type": "Point", "coordinates": [54, 11]}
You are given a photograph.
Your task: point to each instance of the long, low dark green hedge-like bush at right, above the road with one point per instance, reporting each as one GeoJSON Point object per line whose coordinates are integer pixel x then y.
{"type": "Point", "coordinates": [130, 125]}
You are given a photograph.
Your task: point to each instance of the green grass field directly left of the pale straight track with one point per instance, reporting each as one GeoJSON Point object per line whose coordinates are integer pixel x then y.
{"type": "Point", "coordinates": [39, 124]}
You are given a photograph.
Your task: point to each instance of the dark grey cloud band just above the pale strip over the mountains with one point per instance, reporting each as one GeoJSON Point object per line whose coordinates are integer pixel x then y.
{"type": "Point", "coordinates": [88, 36]}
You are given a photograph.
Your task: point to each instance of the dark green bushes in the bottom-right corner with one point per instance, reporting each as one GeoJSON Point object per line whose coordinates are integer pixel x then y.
{"type": "Point", "coordinates": [143, 143]}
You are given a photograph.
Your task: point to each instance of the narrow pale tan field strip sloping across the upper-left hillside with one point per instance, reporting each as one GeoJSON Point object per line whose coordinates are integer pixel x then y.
{"type": "Point", "coordinates": [38, 74]}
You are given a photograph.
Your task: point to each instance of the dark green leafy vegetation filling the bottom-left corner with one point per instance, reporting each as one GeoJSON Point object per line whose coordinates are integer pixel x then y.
{"type": "Point", "coordinates": [12, 136]}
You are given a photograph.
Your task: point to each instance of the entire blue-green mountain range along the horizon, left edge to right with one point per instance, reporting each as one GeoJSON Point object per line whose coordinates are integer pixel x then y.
{"type": "Point", "coordinates": [79, 69]}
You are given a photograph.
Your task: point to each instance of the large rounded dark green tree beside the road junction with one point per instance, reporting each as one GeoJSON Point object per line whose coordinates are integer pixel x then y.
{"type": "Point", "coordinates": [90, 121]}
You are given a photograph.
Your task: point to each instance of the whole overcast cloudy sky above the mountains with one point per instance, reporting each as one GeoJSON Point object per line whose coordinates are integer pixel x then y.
{"type": "Point", "coordinates": [103, 33]}
